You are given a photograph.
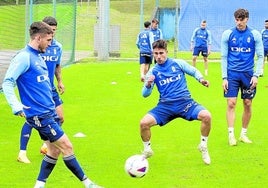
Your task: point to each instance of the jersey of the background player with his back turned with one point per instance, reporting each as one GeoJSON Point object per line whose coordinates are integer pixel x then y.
{"type": "Point", "coordinates": [144, 41]}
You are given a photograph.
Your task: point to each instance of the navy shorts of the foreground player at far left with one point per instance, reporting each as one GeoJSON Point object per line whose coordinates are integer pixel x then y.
{"type": "Point", "coordinates": [47, 126]}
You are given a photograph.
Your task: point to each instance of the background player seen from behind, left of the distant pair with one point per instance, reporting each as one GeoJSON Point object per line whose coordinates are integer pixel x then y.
{"type": "Point", "coordinates": [144, 43]}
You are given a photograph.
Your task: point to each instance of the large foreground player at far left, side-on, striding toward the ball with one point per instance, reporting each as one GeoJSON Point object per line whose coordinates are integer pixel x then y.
{"type": "Point", "coordinates": [29, 72]}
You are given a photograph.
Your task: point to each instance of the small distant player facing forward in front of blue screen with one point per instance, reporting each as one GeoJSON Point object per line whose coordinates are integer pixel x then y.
{"type": "Point", "coordinates": [201, 42]}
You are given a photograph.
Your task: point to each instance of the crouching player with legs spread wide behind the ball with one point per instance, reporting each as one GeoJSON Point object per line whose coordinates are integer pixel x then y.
{"type": "Point", "coordinates": [169, 76]}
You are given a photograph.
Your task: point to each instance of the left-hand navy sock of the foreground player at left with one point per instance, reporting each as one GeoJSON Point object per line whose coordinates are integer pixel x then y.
{"type": "Point", "coordinates": [47, 166]}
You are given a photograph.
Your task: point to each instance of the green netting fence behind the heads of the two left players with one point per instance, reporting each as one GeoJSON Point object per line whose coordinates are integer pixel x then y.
{"type": "Point", "coordinates": [17, 15]}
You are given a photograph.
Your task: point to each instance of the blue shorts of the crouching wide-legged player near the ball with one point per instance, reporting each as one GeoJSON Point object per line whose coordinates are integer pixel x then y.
{"type": "Point", "coordinates": [186, 108]}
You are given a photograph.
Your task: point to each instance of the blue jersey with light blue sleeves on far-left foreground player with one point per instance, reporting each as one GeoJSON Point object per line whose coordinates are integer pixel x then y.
{"type": "Point", "coordinates": [29, 71]}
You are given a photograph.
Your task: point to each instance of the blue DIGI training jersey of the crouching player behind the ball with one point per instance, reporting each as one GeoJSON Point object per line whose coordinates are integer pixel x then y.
{"type": "Point", "coordinates": [170, 79]}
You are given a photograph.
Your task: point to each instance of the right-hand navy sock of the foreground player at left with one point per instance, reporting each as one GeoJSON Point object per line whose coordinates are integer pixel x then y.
{"type": "Point", "coordinates": [74, 166]}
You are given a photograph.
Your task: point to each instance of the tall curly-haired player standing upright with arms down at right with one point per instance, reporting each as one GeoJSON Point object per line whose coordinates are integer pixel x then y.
{"type": "Point", "coordinates": [238, 48]}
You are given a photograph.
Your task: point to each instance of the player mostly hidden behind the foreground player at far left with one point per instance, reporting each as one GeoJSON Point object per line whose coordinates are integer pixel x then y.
{"type": "Point", "coordinates": [52, 57]}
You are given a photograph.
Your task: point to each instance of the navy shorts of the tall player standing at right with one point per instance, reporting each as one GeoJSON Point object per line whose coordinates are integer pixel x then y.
{"type": "Point", "coordinates": [240, 81]}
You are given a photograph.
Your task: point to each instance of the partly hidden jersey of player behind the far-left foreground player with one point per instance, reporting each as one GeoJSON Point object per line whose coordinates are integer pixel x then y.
{"type": "Point", "coordinates": [52, 57]}
